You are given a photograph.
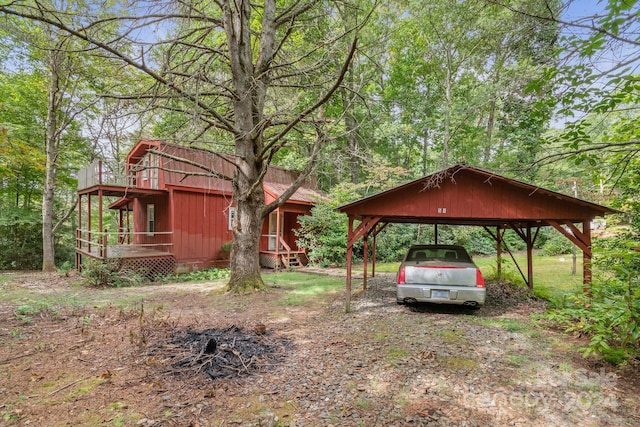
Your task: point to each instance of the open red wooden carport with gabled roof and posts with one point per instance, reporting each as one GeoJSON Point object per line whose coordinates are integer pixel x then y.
{"type": "Point", "coordinates": [466, 195]}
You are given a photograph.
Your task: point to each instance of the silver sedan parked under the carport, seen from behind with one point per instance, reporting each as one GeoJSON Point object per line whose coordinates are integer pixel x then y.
{"type": "Point", "coordinates": [442, 274]}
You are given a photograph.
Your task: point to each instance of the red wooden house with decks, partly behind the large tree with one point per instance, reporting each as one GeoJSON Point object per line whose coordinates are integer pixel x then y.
{"type": "Point", "coordinates": [164, 214]}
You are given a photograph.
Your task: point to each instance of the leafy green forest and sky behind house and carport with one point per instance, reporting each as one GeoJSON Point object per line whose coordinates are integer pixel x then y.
{"type": "Point", "coordinates": [541, 91]}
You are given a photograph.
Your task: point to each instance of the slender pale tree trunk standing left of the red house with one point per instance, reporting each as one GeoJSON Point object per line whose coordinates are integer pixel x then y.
{"type": "Point", "coordinates": [51, 151]}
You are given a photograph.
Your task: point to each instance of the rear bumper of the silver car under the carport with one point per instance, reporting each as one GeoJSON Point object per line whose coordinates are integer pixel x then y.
{"type": "Point", "coordinates": [441, 294]}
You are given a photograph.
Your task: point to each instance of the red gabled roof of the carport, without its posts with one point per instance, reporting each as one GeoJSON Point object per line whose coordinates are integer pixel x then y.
{"type": "Point", "coordinates": [420, 201]}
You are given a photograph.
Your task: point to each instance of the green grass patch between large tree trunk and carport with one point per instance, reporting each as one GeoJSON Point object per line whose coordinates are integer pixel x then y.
{"type": "Point", "coordinates": [302, 288]}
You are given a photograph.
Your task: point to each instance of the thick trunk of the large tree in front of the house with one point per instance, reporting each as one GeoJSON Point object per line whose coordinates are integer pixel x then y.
{"type": "Point", "coordinates": [250, 84]}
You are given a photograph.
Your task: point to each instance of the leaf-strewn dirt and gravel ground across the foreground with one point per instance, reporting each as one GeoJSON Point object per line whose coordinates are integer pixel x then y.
{"type": "Point", "coordinates": [188, 355]}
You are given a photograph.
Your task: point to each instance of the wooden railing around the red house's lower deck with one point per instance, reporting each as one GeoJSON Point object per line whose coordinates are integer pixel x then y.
{"type": "Point", "coordinates": [106, 244]}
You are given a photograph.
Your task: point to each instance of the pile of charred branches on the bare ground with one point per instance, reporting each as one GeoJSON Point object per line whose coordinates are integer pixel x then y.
{"type": "Point", "coordinates": [221, 353]}
